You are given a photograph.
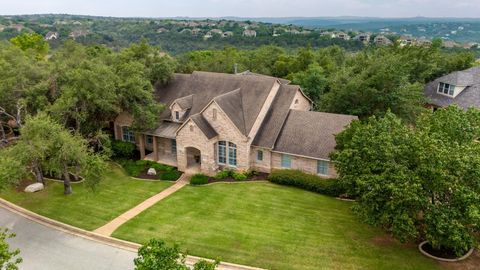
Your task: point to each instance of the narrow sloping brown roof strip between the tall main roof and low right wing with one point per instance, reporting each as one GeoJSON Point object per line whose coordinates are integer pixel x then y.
{"type": "Point", "coordinates": [275, 117]}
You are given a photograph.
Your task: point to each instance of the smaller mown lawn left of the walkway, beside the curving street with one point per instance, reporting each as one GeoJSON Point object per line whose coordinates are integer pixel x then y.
{"type": "Point", "coordinates": [115, 194]}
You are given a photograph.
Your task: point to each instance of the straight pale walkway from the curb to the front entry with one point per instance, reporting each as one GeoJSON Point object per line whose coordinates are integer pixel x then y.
{"type": "Point", "coordinates": [110, 227]}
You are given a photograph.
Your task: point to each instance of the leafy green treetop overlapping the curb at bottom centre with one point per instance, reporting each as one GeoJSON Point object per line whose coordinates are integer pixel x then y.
{"type": "Point", "coordinates": [156, 254]}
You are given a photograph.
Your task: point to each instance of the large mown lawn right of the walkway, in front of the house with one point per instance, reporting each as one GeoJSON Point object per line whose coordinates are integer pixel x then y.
{"type": "Point", "coordinates": [270, 226]}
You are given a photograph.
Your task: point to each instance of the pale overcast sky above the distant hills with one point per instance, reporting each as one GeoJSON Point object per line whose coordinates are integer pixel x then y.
{"type": "Point", "coordinates": [246, 8]}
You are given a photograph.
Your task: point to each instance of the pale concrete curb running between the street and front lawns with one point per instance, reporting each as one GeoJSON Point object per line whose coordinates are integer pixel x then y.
{"type": "Point", "coordinates": [110, 241]}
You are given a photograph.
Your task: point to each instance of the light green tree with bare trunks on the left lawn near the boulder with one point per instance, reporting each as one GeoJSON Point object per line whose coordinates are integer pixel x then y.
{"type": "Point", "coordinates": [46, 146]}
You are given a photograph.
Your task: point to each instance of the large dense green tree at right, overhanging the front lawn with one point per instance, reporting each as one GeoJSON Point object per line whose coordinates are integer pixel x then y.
{"type": "Point", "coordinates": [416, 182]}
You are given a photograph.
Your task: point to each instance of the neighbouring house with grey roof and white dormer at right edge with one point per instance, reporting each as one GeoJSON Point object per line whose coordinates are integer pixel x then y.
{"type": "Point", "coordinates": [460, 87]}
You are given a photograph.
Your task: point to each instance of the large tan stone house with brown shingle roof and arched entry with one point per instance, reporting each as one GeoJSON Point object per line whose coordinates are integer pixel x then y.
{"type": "Point", "coordinates": [239, 121]}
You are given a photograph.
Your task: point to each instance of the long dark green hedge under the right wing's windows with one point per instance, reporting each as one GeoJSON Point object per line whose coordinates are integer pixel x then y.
{"type": "Point", "coordinates": [306, 181]}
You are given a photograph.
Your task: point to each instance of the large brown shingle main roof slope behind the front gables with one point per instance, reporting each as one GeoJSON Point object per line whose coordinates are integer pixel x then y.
{"type": "Point", "coordinates": [207, 86]}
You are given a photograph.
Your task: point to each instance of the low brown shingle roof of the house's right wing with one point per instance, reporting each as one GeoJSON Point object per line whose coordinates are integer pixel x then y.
{"type": "Point", "coordinates": [311, 134]}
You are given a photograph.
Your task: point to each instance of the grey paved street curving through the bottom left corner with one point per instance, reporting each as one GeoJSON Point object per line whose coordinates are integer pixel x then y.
{"type": "Point", "coordinates": [44, 248]}
